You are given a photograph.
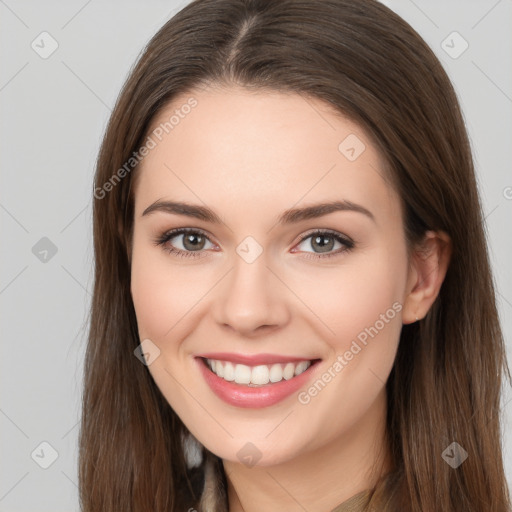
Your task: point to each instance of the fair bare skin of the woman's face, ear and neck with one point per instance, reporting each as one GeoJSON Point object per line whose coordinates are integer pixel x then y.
{"type": "Point", "coordinates": [250, 156]}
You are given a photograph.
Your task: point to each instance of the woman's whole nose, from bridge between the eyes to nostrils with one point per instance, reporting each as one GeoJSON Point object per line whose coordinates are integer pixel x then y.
{"type": "Point", "coordinates": [251, 296]}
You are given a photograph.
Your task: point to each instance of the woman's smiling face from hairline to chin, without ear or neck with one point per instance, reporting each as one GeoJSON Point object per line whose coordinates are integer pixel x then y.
{"type": "Point", "coordinates": [265, 278]}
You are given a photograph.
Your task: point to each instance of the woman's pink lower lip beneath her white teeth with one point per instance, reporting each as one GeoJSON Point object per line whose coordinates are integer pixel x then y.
{"type": "Point", "coordinates": [240, 395]}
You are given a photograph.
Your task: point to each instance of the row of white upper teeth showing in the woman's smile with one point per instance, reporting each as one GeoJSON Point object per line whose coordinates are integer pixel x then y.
{"type": "Point", "coordinates": [256, 375]}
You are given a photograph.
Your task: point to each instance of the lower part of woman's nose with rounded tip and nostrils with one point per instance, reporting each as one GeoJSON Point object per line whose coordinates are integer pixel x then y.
{"type": "Point", "coordinates": [251, 299]}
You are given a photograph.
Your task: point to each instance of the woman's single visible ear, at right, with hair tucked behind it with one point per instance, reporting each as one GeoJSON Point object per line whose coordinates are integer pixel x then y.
{"type": "Point", "coordinates": [428, 266]}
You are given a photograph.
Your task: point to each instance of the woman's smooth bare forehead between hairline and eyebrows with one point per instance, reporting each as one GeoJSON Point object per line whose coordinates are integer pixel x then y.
{"type": "Point", "coordinates": [266, 151]}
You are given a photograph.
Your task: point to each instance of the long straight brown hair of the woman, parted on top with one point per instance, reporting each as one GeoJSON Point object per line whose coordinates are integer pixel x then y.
{"type": "Point", "coordinates": [370, 65]}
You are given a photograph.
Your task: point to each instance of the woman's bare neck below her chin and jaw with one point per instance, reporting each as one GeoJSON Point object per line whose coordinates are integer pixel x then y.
{"type": "Point", "coordinates": [317, 480]}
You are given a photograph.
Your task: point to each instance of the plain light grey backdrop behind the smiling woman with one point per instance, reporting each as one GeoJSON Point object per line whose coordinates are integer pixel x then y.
{"type": "Point", "coordinates": [54, 111]}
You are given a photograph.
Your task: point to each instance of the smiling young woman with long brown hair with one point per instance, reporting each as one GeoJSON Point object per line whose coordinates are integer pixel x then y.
{"type": "Point", "coordinates": [293, 306]}
